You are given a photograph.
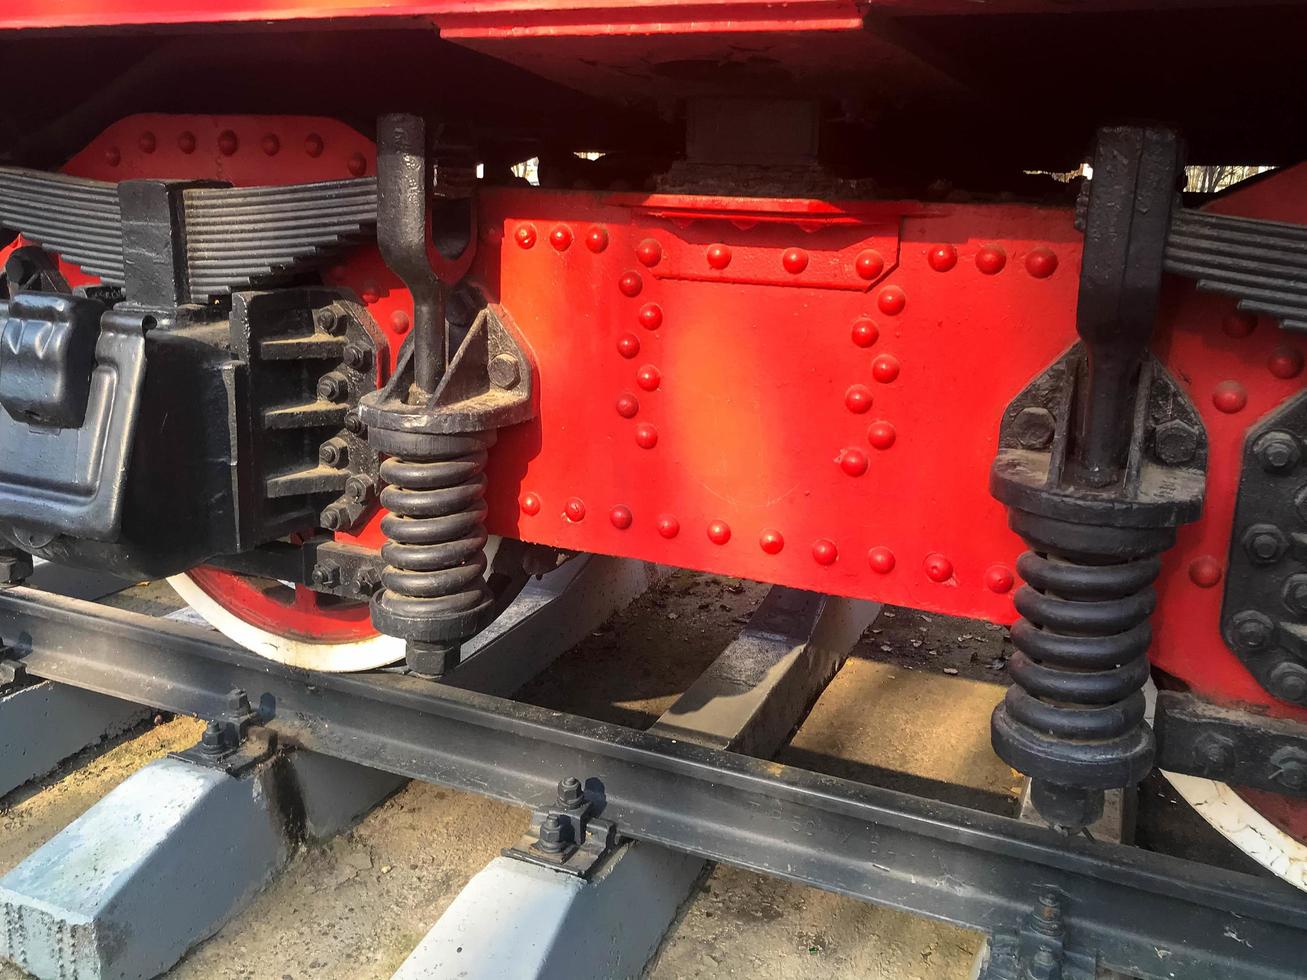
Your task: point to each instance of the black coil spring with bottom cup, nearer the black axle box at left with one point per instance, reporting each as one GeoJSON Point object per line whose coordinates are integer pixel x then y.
{"type": "Point", "coordinates": [433, 585]}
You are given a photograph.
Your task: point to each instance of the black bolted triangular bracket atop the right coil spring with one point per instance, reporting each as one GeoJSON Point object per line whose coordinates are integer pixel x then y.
{"type": "Point", "coordinates": [1166, 472]}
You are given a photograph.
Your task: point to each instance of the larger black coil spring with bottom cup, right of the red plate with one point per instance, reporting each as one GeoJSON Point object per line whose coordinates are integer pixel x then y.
{"type": "Point", "coordinates": [1075, 715]}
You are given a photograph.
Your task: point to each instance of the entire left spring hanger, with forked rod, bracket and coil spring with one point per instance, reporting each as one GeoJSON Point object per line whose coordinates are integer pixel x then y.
{"type": "Point", "coordinates": [437, 416]}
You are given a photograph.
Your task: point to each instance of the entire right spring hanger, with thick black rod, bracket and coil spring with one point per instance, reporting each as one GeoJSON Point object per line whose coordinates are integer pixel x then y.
{"type": "Point", "coordinates": [1101, 459]}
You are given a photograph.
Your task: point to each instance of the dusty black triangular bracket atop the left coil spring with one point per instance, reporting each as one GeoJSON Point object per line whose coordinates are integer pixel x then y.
{"type": "Point", "coordinates": [487, 386]}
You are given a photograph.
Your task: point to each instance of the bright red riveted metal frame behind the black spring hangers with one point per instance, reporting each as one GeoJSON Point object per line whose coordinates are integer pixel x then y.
{"type": "Point", "coordinates": [791, 391]}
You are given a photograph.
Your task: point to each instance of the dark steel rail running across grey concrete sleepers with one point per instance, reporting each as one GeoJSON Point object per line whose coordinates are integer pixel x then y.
{"type": "Point", "coordinates": [1144, 914]}
